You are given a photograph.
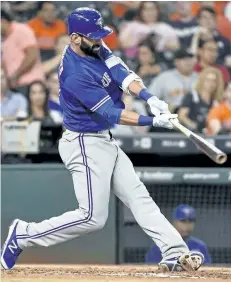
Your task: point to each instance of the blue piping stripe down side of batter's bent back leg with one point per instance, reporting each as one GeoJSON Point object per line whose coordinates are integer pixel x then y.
{"type": "Point", "coordinates": [90, 200]}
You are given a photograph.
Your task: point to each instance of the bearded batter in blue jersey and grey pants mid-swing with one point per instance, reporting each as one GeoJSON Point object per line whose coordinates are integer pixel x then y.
{"type": "Point", "coordinates": [92, 80]}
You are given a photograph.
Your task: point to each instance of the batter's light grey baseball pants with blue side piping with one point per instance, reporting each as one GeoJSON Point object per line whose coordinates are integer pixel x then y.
{"type": "Point", "coordinates": [98, 167]}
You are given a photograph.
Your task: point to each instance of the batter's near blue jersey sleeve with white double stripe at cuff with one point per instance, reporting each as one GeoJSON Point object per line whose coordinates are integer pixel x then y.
{"type": "Point", "coordinates": [92, 95]}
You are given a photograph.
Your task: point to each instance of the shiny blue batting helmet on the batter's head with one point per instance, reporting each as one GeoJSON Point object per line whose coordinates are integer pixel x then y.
{"type": "Point", "coordinates": [87, 22]}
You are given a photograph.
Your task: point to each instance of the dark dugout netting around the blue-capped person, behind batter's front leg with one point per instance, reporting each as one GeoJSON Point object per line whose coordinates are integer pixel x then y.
{"type": "Point", "coordinates": [213, 223]}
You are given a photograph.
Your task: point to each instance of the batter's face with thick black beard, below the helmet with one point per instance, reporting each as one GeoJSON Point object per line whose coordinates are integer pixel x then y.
{"type": "Point", "coordinates": [90, 47]}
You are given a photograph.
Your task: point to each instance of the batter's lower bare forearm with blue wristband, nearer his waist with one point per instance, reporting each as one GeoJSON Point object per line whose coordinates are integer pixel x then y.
{"type": "Point", "coordinates": [134, 119]}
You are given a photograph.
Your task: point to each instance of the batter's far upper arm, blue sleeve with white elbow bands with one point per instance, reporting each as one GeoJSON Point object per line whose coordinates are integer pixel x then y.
{"type": "Point", "coordinates": [119, 70]}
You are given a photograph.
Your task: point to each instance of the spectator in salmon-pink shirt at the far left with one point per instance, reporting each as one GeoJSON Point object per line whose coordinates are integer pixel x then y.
{"type": "Point", "coordinates": [20, 54]}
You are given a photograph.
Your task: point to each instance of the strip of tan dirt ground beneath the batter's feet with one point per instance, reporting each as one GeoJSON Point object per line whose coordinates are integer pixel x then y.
{"type": "Point", "coordinates": [103, 273]}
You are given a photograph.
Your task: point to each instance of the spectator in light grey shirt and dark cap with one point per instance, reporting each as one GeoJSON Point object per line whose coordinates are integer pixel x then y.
{"type": "Point", "coordinates": [172, 85]}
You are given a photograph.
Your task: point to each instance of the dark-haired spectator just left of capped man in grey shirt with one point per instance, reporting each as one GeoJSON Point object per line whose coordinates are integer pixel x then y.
{"type": "Point", "coordinates": [148, 68]}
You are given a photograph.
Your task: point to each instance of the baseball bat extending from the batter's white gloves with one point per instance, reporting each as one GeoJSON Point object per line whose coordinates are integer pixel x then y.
{"type": "Point", "coordinates": [209, 149]}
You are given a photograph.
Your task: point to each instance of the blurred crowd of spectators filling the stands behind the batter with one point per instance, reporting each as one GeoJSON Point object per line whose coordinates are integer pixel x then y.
{"type": "Point", "coordinates": [181, 50]}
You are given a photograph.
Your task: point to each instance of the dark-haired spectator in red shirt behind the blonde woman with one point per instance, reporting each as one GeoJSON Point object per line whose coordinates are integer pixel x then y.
{"type": "Point", "coordinates": [207, 55]}
